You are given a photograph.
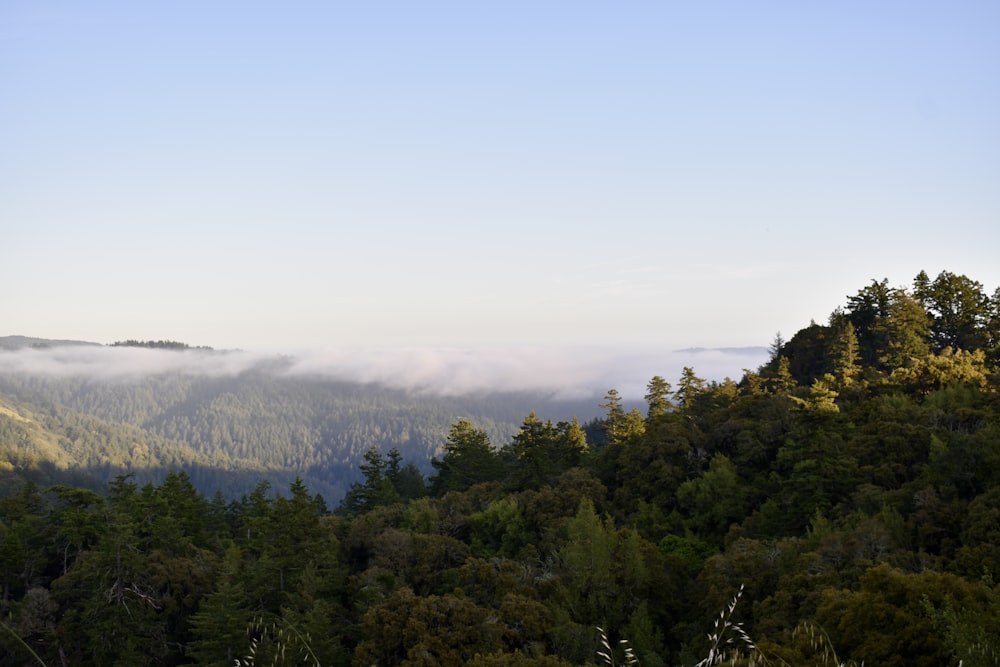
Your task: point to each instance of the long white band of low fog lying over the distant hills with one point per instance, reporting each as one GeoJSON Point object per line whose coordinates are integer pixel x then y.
{"type": "Point", "coordinates": [563, 371]}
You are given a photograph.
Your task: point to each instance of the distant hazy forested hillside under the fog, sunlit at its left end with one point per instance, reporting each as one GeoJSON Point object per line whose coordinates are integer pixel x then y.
{"type": "Point", "coordinates": [230, 429]}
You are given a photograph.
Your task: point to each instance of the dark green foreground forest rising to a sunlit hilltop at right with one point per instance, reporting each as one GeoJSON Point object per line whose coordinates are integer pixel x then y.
{"type": "Point", "coordinates": [839, 505]}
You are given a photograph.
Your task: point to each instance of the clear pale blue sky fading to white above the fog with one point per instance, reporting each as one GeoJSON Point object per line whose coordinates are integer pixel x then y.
{"type": "Point", "coordinates": [630, 177]}
